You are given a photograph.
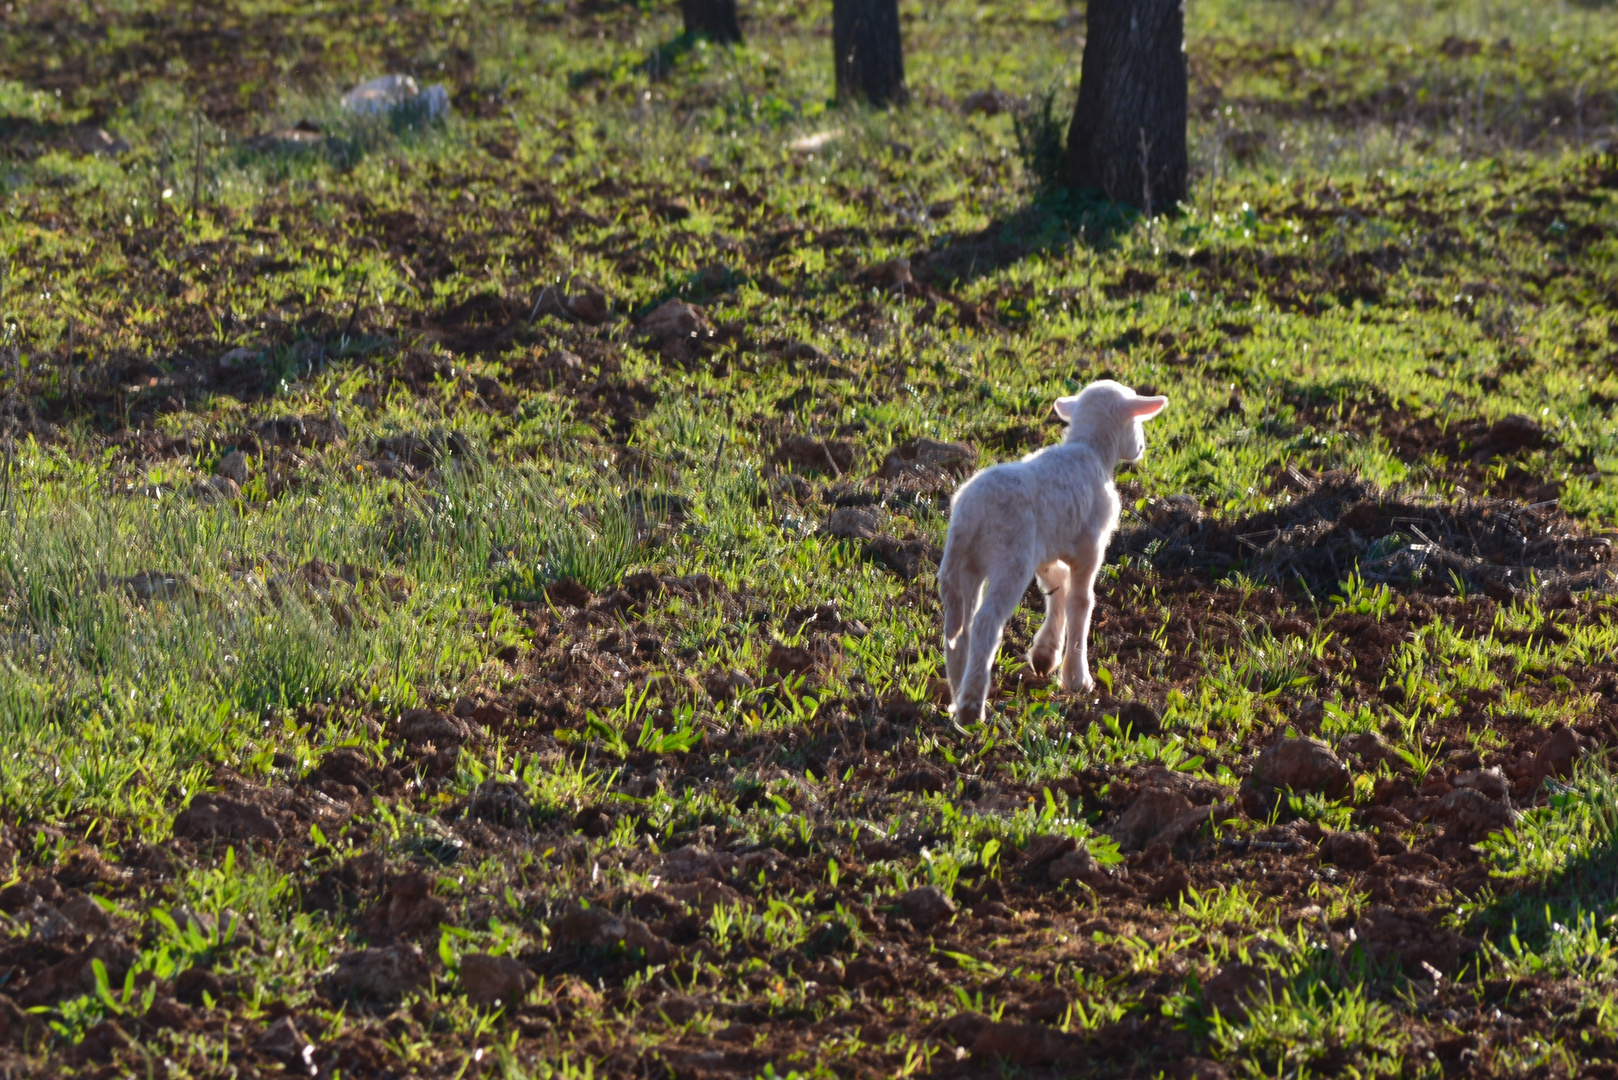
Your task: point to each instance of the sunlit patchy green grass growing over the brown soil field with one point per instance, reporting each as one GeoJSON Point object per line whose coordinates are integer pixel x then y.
{"type": "Point", "coordinates": [1400, 232]}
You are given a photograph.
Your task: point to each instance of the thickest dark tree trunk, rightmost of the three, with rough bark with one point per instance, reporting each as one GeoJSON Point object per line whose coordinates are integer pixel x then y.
{"type": "Point", "coordinates": [1129, 134]}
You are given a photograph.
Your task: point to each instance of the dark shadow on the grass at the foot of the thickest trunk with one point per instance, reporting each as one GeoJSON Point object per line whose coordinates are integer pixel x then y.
{"type": "Point", "coordinates": [1053, 223]}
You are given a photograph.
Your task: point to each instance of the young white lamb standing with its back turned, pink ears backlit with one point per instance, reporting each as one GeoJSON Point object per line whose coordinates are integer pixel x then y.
{"type": "Point", "coordinates": [1048, 516]}
